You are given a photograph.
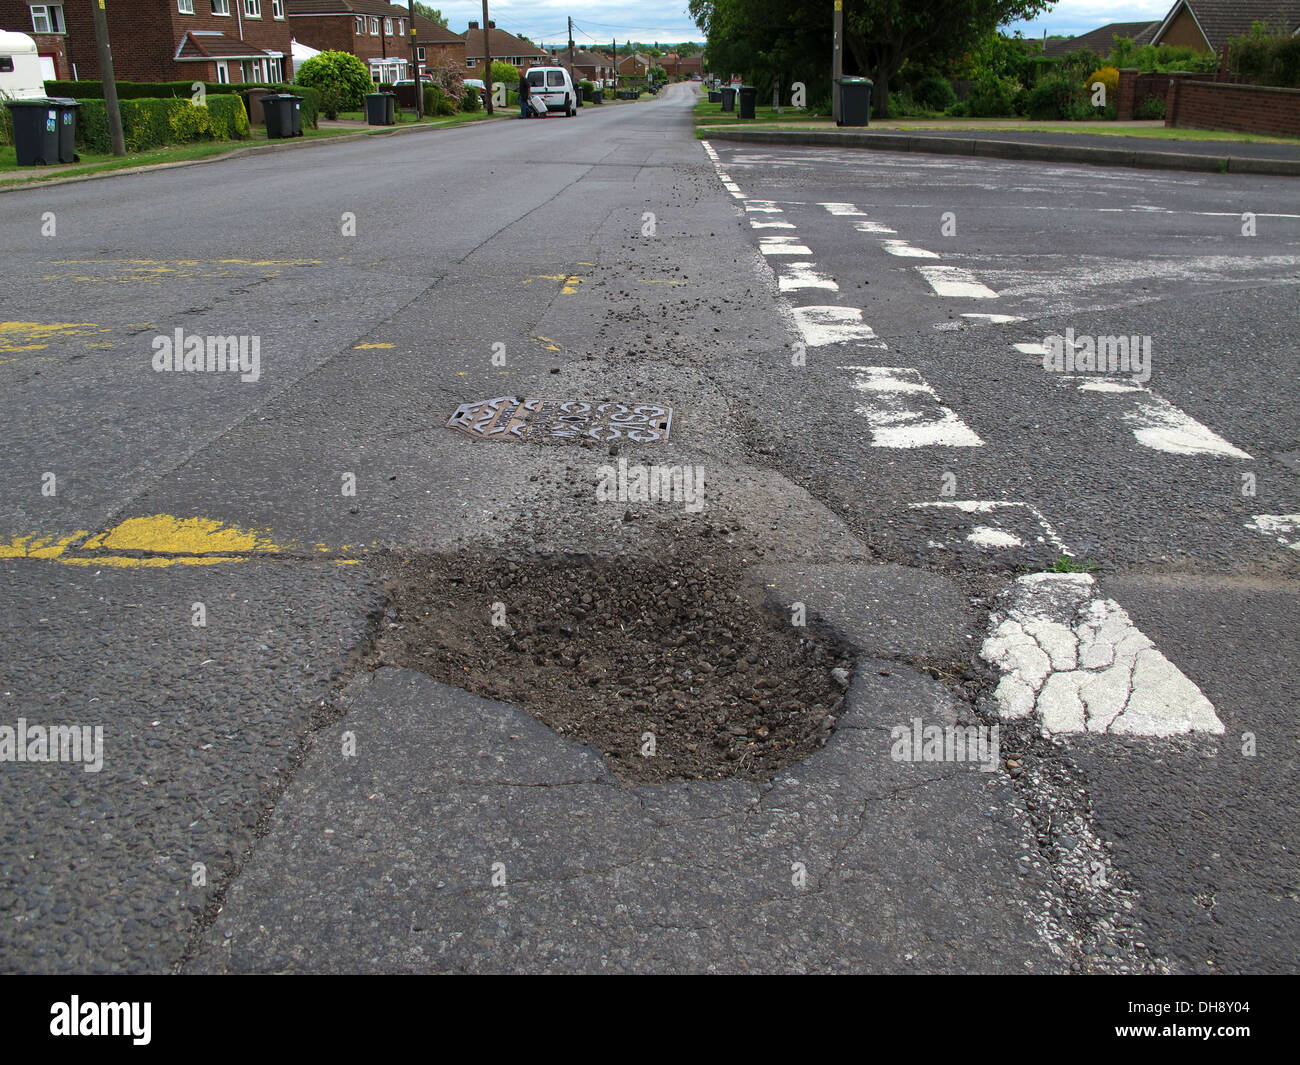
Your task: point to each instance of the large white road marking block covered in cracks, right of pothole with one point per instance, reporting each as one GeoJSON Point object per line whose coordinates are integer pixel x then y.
{"type": "Point", "coordinates": [1081, 665]}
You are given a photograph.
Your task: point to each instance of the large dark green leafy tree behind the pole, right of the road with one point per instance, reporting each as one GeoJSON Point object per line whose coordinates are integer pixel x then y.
{"type": "Point", "coordinates": [792, 38]}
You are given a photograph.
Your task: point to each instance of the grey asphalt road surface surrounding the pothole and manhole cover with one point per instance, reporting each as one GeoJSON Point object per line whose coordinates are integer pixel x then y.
{"type": "Point", "coordinates": [860, 352]}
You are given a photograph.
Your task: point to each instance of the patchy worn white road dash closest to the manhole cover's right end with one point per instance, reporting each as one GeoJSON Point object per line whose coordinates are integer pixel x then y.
{"type": "Point", "coordinates": [904, 412]}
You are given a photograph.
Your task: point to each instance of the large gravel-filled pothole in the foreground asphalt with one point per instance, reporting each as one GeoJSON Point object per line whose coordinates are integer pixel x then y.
{"type": "Point", "coordinates": [668, 668]}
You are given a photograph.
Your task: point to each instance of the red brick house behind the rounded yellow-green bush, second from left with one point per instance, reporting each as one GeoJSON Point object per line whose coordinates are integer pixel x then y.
{"type": "Point", "coordinates": [372, 31]}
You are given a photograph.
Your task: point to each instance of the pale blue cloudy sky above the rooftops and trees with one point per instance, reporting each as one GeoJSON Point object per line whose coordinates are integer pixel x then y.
{"type": "Point", "coordinates": [645, 20]}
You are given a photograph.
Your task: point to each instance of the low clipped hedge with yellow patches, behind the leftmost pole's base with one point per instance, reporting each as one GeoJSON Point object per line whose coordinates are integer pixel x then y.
{"type": "Point", "coordinates": [157, 124]}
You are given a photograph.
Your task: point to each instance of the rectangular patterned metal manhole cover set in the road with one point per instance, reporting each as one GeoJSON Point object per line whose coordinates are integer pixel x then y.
{"type": "Point", "coordinates": [512, 418]}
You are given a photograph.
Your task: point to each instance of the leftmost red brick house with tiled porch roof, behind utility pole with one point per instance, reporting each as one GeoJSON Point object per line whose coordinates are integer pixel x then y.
{"type": "Point", "coordinates": [161, 41]}
